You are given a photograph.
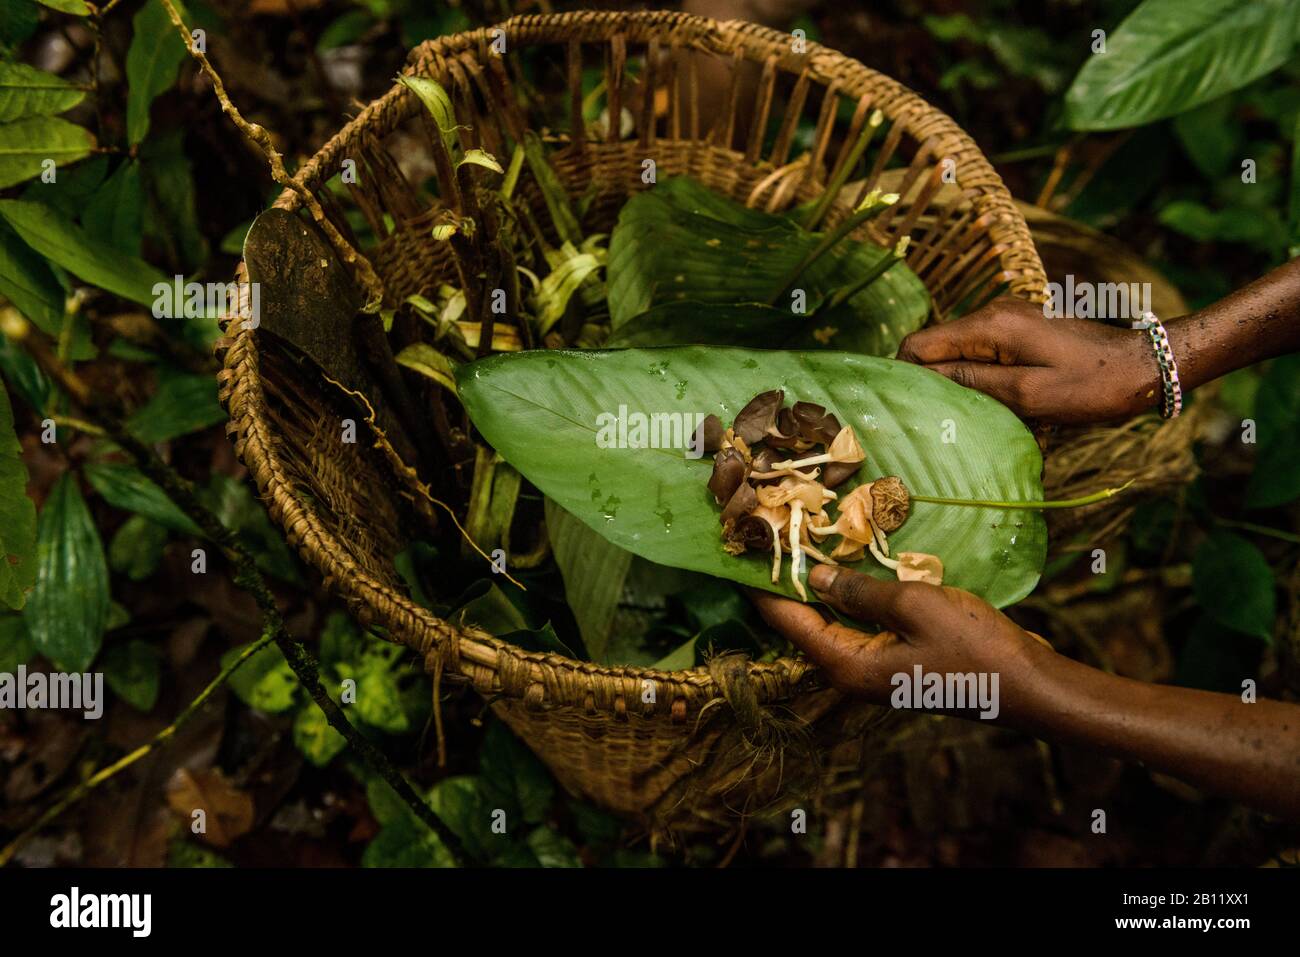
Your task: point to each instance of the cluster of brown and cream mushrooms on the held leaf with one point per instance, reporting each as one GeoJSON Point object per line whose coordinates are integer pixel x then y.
{"type": "Point", "coordinates": [774, 488]}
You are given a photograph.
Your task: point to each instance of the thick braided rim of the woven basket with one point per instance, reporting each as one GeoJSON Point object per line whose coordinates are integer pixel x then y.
{"type": "Point", "coordinates": [495, 668]}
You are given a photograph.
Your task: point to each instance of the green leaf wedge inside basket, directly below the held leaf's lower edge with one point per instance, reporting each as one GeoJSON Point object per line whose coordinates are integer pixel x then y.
{"type": "Point", "coordinates": [595, 570]}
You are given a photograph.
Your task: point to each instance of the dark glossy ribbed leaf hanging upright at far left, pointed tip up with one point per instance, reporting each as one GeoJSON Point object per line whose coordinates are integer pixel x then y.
{"type": "Point", "coordinates": [68, 609]}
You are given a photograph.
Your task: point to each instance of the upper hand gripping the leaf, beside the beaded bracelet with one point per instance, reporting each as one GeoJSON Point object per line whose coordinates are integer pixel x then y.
{"type": "Point", "coordinates": [1052, 370]}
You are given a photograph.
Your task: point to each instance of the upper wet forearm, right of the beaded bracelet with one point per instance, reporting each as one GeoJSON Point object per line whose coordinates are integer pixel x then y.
{"type": "Point", "coordinates": [1256, 323]}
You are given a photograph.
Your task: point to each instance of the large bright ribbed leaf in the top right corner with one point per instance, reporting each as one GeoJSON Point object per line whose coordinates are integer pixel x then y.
{"type": "Point", "coordinates": [1175, 55]}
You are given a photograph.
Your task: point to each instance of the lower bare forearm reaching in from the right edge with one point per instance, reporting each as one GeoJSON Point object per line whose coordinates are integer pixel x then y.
{"type": "Point", "coordinates": [1249, 752]}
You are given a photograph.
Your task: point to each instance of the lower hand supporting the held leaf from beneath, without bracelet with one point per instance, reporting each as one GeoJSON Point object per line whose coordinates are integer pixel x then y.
{"type": "Point", "coordinates": [943, 630]}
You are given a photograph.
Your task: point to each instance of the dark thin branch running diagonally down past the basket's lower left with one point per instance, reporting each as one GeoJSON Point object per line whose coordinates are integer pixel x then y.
{"type": "Point", "coordinates": [106, 412]}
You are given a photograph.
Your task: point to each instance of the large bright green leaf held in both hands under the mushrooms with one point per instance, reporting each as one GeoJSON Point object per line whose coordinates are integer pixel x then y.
{"type": "Point", "coordinates": [541, 412]}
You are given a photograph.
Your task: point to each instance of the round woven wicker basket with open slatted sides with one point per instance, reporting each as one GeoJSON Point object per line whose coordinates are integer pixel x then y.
{"type": "Point", "coordinates": [713, 742]}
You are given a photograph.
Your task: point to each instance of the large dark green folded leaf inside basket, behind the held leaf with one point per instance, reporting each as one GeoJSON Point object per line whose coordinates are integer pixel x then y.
{"type": "Point", "coordinates": [681, 244]}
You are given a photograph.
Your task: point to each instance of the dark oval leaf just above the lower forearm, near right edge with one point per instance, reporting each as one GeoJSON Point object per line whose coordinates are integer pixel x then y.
{"type": "Point", "coordinates": [1234, 583]}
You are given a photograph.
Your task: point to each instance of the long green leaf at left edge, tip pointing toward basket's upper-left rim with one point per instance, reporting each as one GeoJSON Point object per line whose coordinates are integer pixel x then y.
{"type": "Point", "coordinates": [99, 265]}
